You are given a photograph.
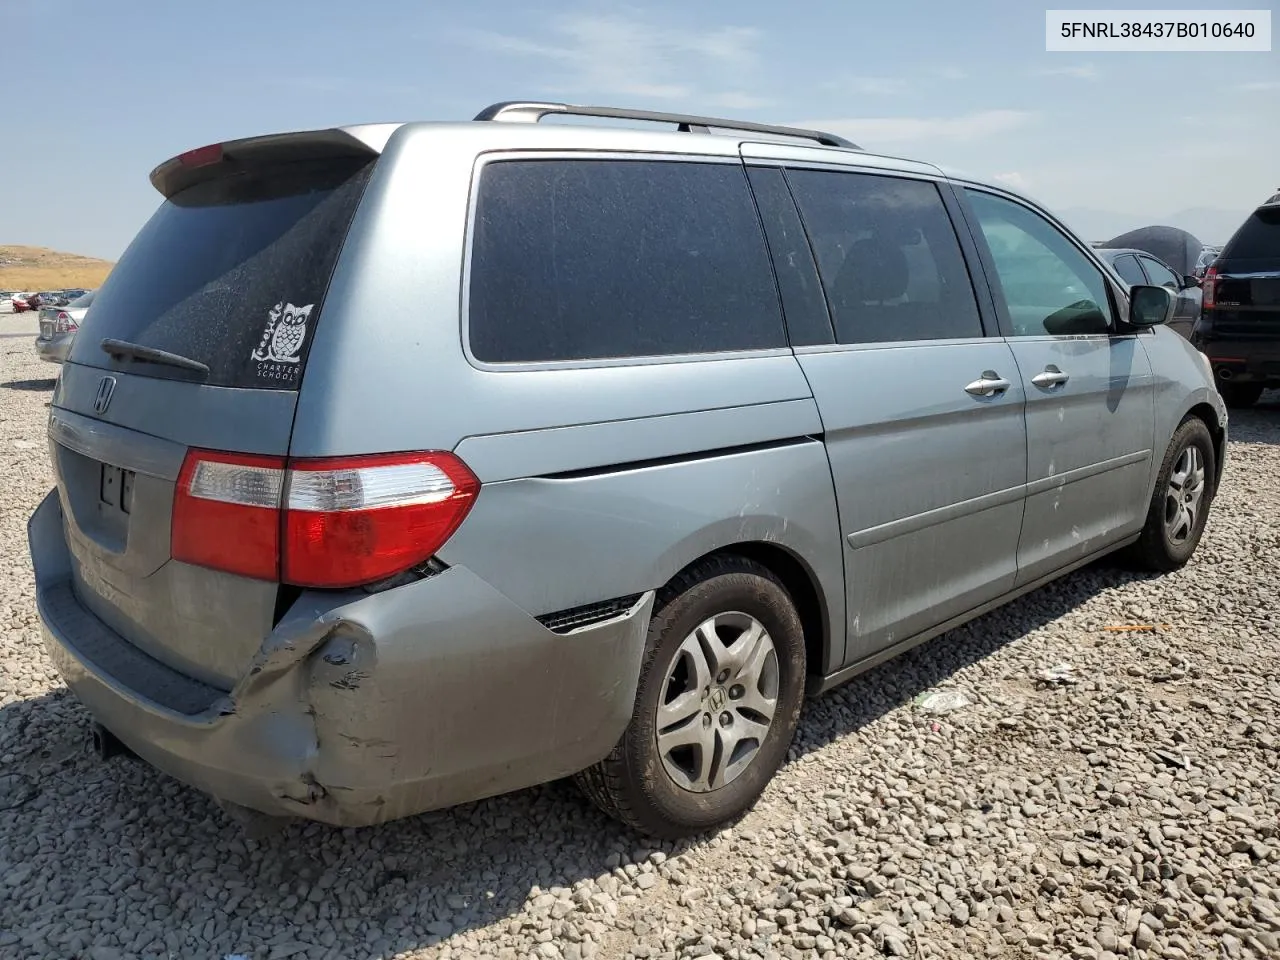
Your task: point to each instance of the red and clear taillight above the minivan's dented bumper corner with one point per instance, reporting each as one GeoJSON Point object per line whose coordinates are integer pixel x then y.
{"type": "Point", "coordinates": [318, 523]}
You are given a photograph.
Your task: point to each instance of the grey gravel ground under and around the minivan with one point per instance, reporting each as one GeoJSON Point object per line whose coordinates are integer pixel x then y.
{"type": "Point", "coordinates": [1130, 813]}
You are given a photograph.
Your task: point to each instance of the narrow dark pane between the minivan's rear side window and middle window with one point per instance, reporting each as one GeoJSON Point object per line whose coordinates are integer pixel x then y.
{"type": "Point", "coordinates": [803, 303]}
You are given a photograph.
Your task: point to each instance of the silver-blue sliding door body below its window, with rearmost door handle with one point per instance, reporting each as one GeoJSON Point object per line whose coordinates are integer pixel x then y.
{"type": "Point", "coordinates": [929, 478]}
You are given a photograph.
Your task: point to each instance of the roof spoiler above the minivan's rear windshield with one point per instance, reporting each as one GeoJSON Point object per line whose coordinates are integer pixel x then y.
{"type": "Point", "coordinates": [218, 159]}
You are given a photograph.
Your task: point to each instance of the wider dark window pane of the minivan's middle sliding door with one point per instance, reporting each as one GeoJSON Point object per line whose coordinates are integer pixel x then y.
{"type": "Point", "coordinates": [889, 257]}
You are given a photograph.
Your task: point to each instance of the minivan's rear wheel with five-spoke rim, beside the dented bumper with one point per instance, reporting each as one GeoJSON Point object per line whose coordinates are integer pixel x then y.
{"type": "Point", "coordinates": [717, 705]}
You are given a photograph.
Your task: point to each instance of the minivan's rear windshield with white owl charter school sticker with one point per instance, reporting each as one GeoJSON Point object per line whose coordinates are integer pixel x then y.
{"type": "Point", "coordinates": [231, 273]}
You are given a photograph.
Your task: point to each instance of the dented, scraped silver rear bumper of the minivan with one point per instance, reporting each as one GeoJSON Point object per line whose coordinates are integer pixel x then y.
{"type": "Point", "coordinates": [359, 708]}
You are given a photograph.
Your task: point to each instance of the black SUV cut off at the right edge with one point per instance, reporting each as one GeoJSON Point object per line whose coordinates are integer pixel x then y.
{"type": "Point", "coordinates": [1240, 328]}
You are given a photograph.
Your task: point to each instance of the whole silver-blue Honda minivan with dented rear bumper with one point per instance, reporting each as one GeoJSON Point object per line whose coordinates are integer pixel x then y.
{"type": "Point", "coordinates": [843, 404]}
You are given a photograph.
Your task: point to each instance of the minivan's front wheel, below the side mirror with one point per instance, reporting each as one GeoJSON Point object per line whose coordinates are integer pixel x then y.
{"type": "Point", "coordinates": [1181, 502]}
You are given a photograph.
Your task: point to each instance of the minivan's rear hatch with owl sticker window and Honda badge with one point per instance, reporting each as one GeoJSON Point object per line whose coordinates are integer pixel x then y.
{"type": "Point", "coordinates": [198, 340]}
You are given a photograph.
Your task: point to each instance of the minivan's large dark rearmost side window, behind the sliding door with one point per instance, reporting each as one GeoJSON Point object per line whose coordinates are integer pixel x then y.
{"type": "Point", "coordinates": [593, 259]}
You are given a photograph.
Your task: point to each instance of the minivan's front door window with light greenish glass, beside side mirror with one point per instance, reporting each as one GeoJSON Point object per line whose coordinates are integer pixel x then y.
{"type": "Point", "coordinates": [1050, 286]}
